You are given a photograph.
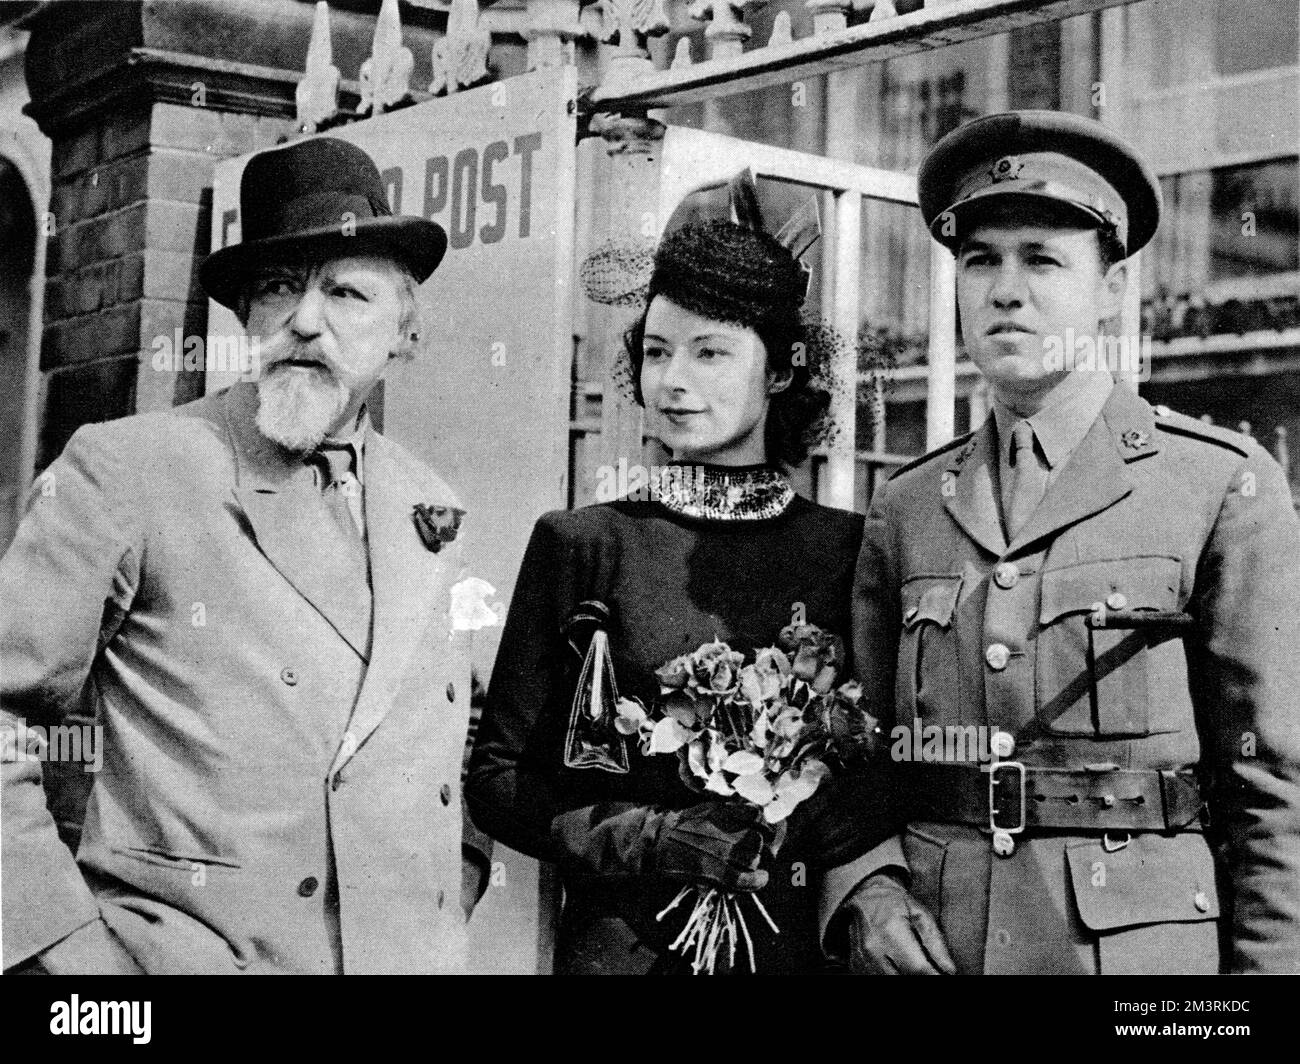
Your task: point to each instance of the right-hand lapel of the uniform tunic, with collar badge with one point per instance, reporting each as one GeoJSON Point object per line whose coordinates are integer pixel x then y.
{"type": "Point", "coordinates": [1097, 474]}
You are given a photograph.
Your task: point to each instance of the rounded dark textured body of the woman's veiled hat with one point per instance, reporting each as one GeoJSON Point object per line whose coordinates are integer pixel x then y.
{"type": "Point", "coordinates": [729, 273]}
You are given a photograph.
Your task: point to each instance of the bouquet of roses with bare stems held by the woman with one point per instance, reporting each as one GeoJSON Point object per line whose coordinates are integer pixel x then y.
{"type": "Point", "coordinates": [765, 734]}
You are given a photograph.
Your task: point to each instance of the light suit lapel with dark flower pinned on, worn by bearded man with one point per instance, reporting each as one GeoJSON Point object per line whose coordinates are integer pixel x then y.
{"type": "Point", "coordinates": [406, 578]}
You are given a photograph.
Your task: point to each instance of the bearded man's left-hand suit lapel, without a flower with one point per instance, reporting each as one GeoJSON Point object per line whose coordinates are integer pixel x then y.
{"type": "Point", "coordinates": [279, 496]}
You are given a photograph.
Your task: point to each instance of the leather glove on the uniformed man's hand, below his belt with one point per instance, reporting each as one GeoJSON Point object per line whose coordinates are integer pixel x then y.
{"type": "Point", "coordinates": [894, 935]}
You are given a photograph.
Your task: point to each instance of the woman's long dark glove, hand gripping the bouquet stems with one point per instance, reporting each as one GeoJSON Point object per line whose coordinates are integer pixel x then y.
{"type": "Point", "coordinates": [717, 844]}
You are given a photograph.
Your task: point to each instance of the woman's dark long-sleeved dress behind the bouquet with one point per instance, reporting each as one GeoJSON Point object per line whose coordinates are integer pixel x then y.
{"type": "Point", "coordinates": [671, 583]}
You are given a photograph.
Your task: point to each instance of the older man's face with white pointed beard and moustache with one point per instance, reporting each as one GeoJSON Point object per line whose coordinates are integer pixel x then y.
{"type": "Point", "coordinates": [327, 334]}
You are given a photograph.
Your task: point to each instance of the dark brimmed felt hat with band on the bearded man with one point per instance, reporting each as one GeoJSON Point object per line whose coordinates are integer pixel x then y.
{"type": "Point", "coordinates": [318, 197]}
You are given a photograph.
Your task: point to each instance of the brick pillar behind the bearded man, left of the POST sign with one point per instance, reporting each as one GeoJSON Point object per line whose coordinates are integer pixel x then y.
{"type": "Point", "coordinates": [131, 206]}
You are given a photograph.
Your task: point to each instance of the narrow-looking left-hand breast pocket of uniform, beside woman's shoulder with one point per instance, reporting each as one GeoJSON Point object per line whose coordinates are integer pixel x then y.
{"type": "Point", "coordinates": [928, 678]}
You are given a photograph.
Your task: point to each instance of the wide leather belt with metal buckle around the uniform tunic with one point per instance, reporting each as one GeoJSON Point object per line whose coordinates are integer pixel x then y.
{"type": "Point", "coordinates": [1103, 799]}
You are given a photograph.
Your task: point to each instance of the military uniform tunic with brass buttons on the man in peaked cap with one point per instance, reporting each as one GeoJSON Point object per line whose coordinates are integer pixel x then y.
{"type": "Point", "coordinates": [956, 628]}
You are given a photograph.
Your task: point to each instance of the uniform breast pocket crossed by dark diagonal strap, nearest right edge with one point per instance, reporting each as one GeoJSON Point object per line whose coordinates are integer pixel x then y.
{"type": "Point", "coordinates": [1110, 682]}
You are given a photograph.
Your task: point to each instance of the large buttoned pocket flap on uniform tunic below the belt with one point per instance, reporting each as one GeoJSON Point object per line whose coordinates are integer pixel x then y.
{"type": "Point", "coordinates": [1154, 880]}
